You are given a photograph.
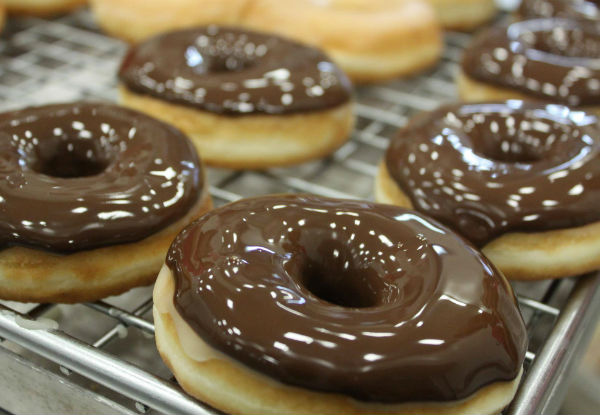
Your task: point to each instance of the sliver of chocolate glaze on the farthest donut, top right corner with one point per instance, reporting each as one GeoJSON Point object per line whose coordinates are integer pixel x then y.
{"type": "Point", "coordinates": [574, 9]}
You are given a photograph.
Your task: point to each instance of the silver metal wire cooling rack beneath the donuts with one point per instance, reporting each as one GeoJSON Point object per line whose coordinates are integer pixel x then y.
{"type": "Point", "coordinates": [102, 357]}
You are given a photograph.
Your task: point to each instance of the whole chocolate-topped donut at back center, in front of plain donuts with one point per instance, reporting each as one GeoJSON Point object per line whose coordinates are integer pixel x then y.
{"type": "Point", "coordinates": [246, 99]}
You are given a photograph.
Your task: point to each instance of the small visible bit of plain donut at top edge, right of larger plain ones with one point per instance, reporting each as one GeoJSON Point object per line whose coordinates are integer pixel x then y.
{"type": "Point", "coordinates": [464, 14]}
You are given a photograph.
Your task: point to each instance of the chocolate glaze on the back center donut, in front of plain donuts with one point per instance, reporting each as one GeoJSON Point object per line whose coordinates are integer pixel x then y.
{"type": "Point", "coordinates": [231, 71]}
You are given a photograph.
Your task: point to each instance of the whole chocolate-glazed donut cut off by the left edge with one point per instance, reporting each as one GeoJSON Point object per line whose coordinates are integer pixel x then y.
{"type": "Point", "coordinates": [91, 196]}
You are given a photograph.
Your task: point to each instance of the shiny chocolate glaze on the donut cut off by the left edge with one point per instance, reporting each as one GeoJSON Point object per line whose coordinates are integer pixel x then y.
{"type": "Point", "coordinates": [79, 176]}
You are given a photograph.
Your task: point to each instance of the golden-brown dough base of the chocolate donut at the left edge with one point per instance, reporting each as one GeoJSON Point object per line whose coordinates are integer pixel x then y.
{"type": "Point", "coordinates": [32, 275]}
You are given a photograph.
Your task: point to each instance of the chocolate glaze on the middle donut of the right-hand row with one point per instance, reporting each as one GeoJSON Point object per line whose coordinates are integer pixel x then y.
{"type": "Point", "coordinates": [487, 169]}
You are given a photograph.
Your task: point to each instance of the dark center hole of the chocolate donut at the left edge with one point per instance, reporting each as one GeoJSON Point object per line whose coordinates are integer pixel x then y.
{"type": "Point", "coordinates": [69, 158]}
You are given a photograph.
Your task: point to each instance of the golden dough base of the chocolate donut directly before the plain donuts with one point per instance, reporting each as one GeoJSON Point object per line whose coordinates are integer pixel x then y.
{"type": "Point", "coordinates": [254, 141]}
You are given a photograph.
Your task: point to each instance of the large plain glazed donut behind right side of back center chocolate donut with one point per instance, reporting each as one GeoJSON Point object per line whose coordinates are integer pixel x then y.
{"type": "Point", "coordinates": [371, 40]}
